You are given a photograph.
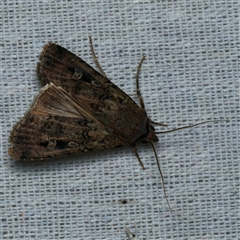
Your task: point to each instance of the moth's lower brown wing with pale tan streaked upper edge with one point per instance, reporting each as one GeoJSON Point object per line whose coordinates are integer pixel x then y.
{"type": "Point", "coordinates": [55, 126]}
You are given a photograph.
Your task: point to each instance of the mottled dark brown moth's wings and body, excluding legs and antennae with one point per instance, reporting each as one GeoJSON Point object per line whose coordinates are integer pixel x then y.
{"type": "Point", "coordinates": [77, 110]}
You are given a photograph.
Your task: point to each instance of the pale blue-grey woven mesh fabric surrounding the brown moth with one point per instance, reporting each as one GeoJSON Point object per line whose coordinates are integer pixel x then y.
{"type": "Point", "coordinates": [191, 74]}
